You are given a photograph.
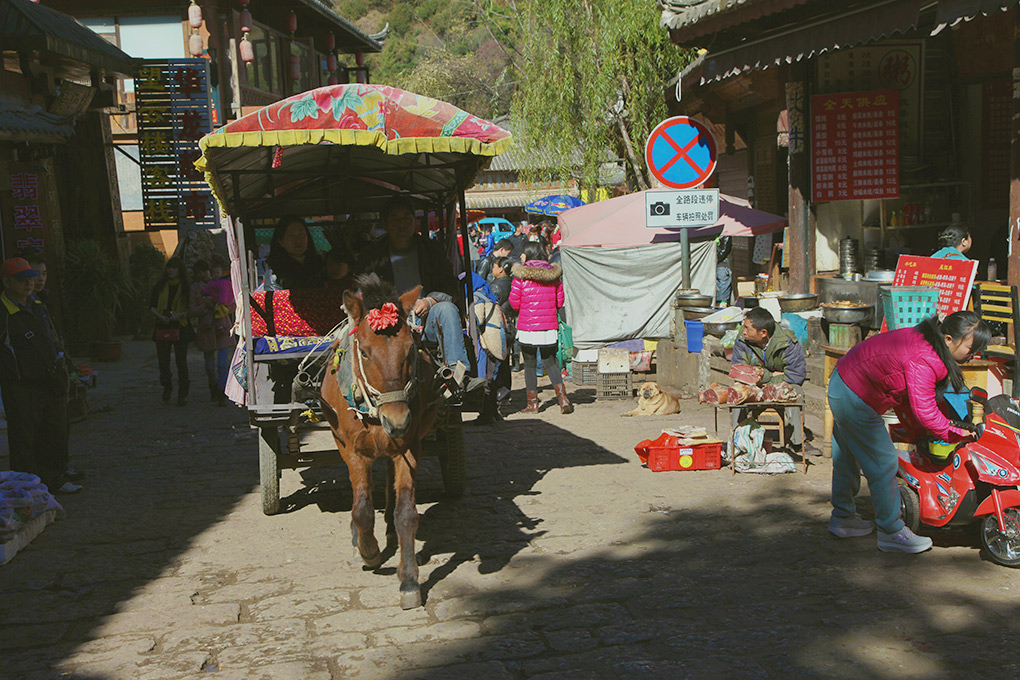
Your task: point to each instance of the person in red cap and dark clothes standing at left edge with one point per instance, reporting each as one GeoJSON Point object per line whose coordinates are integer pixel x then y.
{"type": "Point", "coordinates": [33, 381]}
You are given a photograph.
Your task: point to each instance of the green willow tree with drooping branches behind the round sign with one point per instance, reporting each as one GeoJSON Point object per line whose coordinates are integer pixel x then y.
{"type": "Point", "coordinates": [593, 84]}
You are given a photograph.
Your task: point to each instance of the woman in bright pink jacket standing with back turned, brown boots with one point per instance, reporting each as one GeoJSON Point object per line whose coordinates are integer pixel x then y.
{"type": "Point", "coordinates": [537, 294]}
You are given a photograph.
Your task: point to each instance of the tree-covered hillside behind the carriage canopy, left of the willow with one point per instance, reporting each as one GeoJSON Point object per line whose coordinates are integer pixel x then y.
{"type": "Point", "coordinates": [442, 48]}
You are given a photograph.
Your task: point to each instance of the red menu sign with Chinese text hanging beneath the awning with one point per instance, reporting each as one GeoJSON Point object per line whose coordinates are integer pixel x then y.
{"type": "Point", "coordinates": [855, 144]}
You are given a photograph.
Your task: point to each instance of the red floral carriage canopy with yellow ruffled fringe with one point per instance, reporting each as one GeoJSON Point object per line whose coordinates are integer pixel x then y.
{"type": "Point", "coordinates": [347, 149]}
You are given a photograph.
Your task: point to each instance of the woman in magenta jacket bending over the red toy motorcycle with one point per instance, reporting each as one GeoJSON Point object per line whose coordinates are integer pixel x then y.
{"type": "Point", "coordinates": [900, 371]}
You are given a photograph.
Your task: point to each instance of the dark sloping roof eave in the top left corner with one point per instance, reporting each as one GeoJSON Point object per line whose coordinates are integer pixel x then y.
{"type": "Point", "coordinates": [28, 26]}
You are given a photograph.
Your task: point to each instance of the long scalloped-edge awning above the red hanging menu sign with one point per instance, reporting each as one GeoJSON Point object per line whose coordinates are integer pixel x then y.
{"type": "Point", "coordinates": [808, 40]}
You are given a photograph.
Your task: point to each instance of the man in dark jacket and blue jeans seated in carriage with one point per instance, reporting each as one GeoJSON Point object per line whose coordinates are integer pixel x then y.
{"type": "Point", "coordinates": [406, 259]}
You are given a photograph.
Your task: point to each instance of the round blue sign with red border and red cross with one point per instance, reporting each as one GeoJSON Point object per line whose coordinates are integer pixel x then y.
{"type": "Point", "coordinates": [681, 152]}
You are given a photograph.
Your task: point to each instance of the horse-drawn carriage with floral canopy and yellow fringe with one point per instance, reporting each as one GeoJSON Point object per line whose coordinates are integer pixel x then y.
{"type": "Point", "coordinates": [338, 154]}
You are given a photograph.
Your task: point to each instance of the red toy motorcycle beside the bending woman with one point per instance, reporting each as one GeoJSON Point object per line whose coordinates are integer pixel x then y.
{"type": "Point", "coordinates": [980, 481]}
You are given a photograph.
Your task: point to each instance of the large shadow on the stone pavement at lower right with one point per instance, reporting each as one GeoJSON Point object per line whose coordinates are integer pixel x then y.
{"type": "Point", "coordinates": [726, 594]}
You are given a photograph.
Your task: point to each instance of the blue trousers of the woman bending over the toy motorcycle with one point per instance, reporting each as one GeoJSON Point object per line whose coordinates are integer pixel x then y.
{"type": "Point", "coordinates": [861, 443]}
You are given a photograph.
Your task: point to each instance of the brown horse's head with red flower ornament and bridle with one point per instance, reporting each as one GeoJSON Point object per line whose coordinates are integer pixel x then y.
{"type": "Point", "coordinates": [384, 353]}
